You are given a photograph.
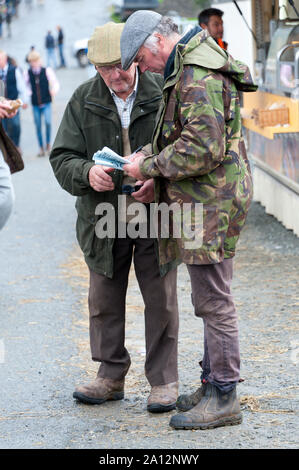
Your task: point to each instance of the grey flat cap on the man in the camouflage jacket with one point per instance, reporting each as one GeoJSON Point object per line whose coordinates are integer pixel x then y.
{"type": "Point", "coordinates": [138, 27]}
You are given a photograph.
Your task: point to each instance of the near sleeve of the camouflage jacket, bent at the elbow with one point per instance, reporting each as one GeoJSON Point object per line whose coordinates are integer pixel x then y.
{"type": "Point", "coordinates": [196, 114]}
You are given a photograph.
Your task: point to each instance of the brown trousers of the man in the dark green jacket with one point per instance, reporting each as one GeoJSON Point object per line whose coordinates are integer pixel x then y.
{"type": "Point", "coordinates": [107, 299]}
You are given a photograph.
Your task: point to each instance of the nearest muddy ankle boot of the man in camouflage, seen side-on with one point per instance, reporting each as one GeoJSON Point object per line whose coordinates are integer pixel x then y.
{"type": "Point", "coordinates": [214, 409]}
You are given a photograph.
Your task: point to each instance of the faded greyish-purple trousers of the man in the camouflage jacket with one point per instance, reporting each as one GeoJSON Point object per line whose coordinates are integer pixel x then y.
{"type": "Point", "coordinates": [213, 302]}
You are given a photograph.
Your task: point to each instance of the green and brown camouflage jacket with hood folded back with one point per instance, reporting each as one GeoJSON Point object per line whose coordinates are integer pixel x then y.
{"type": "Point", "coordinates": [198, 157]}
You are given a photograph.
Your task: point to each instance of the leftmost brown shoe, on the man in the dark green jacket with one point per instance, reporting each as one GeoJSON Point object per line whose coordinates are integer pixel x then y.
{"type": "Point", "coordinates": [99, 391]}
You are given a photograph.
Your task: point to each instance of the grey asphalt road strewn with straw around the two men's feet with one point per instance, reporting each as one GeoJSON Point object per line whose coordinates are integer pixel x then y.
{"type": "Point", "coordinates": [44, 346]}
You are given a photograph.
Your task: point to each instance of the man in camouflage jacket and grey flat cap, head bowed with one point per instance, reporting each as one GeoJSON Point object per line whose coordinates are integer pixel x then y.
{"type": "Point", "coordinates": [198, 161]}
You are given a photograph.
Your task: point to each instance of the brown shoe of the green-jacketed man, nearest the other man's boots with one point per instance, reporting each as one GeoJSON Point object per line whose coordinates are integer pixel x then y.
{"type": "Point", "coordinates": [163, 398]}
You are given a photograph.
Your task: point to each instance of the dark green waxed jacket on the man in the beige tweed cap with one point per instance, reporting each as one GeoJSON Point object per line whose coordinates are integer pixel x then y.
{"type": "Point", "coordinates": [89, 123]}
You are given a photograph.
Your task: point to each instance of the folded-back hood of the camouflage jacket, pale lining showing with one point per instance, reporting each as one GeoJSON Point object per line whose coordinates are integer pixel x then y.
{"type": "Point", "coordinates": [202, 50]}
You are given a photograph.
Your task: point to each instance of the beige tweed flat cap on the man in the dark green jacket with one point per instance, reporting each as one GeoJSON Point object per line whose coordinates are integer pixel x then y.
{"type": "Point", "coordinates": [104, 44]}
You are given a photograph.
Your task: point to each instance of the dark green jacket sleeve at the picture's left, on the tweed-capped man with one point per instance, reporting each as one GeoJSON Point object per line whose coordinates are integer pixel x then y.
{"type": "Point", "coordinates": [69, 158]}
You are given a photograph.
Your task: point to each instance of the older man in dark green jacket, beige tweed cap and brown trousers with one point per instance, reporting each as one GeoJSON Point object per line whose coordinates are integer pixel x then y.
{"type": "Point", "coordinates": [117, 109]}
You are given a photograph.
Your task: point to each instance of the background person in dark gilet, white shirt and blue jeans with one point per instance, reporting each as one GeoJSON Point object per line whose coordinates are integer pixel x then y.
{"type": "Point", "coordinates": [43, 85]}
